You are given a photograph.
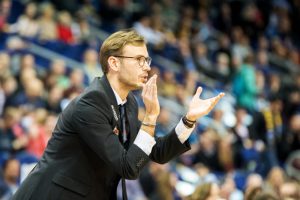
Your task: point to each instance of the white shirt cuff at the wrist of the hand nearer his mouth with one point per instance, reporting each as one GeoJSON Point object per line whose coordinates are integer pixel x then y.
{"type": "Point", "coordinates": [144, 141]}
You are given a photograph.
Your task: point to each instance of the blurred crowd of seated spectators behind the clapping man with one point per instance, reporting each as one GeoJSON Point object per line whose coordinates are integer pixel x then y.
{"type": "Point", "coordinates": [247, 148]}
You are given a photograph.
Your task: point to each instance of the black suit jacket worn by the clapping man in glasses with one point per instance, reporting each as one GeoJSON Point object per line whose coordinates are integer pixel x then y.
{"type": "Point", "coordinates": [84, 159]}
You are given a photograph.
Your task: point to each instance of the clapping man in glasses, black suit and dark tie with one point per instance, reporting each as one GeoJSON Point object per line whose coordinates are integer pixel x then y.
{"type": "Point", "coordinates": [94, 145]}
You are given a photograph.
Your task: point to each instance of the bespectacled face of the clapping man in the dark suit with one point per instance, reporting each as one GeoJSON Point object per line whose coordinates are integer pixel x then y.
{"type": "Point", "coordinates": [133, 73]}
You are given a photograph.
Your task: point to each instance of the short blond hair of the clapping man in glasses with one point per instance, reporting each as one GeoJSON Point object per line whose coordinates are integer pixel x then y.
{"type": "Point", "coordinates": [115, 43]}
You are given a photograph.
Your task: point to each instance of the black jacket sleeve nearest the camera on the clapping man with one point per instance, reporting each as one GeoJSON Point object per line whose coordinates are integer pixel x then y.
{"type": "Point", "coordinates": [92, 120]}
